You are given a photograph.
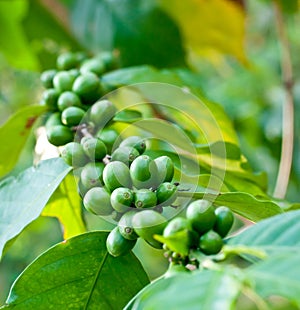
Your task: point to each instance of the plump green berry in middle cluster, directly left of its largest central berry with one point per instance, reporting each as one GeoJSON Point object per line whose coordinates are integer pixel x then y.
{"type": "Point", "coordinates": [116, 174]}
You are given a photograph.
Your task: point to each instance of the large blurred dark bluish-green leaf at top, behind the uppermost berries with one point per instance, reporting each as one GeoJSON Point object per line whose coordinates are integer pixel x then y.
{"type": "Point", "coordinates": [142, 32]}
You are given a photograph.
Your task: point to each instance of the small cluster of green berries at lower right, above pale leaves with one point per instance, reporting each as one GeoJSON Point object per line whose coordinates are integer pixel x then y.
{"type": "Point", "coordinates": [205, 227]}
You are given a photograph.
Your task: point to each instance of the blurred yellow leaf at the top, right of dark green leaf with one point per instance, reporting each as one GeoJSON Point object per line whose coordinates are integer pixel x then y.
{"type": "Point", "coordinates": [210, 28]}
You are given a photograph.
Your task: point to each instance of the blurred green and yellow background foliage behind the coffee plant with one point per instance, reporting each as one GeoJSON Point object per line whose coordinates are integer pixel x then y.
{"type": "Point", "coordinates": [236, 60]}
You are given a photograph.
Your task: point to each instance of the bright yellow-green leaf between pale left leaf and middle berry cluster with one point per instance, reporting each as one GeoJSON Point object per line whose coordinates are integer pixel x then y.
{"type": "Point", "coordinates": [65, 204]}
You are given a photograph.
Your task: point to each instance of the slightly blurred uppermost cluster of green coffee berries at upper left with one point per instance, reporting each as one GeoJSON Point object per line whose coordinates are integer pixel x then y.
{"type": "Point", "coordinates": [71, 89]}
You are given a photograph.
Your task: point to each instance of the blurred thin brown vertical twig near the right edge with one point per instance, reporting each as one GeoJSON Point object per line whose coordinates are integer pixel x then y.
{"type": "Point", "coordinates": [287, 108]}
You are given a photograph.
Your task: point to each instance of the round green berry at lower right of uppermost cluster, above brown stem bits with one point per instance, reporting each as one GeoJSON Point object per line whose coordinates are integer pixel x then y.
{"type": "Point", "coordinates": [102, 112]}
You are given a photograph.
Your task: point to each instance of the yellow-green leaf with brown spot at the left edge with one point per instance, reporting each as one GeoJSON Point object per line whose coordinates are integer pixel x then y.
{"type": "Point", "coordinates": [14, 134]}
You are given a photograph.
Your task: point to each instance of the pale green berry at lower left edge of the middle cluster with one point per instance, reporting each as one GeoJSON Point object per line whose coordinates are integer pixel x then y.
{"type": "Point", "coordinates": [97, 201]}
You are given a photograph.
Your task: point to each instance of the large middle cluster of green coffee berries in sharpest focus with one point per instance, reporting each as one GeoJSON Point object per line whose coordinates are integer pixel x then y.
{"type": "Point", "coordinates": [128, 186]}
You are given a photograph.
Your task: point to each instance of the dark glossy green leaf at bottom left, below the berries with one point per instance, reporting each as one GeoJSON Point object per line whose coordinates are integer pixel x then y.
{"type": "Point", "coordinates": [79, 274]}
